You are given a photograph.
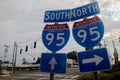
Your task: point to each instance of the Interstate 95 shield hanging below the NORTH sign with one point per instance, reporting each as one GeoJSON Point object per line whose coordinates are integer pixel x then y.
{"type": "Point", "coordinates": [89, 32]}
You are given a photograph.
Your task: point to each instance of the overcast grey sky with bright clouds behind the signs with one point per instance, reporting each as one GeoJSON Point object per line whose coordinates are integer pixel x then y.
{"type": "Point", "coordinates": [23, 21]}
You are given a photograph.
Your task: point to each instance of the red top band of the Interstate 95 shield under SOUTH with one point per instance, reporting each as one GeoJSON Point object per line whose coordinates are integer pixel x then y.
{"type": "Point", "coordinates": [56, 26]}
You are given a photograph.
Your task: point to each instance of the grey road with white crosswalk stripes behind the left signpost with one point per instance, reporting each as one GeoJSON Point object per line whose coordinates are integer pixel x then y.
{"type": "Point", "coordinates": [71, 74]}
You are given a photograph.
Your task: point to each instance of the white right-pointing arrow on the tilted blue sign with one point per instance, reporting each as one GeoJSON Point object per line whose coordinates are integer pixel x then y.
{"type": "Point", "coordinates": [97, 59]}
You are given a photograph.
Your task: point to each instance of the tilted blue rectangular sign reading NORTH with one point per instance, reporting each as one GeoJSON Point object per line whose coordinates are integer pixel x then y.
{"type": "Point", "coordinates": [85, 11]}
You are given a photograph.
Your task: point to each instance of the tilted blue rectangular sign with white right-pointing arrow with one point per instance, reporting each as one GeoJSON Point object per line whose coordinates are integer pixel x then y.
{"type": "Point", "coordinates": [93, 60]}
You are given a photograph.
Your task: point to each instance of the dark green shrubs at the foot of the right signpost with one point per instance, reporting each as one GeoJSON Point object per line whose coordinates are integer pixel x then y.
{"type": "Point", "coordinates": [113, 74]}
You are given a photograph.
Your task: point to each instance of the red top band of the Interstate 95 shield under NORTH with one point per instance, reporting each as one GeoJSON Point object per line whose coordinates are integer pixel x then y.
{"type": "Point", "coordinates": [86, 21]}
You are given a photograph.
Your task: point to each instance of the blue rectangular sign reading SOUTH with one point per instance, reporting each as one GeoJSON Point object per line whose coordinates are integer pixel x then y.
{"type": "Point", "coordinates": [57, 16]}
